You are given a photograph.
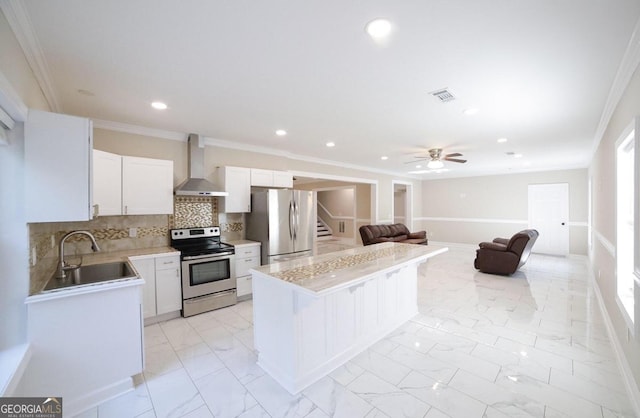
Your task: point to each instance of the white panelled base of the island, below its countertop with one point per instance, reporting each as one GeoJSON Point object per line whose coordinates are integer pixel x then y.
{"type": "Point", "coordinates": [301, 337]}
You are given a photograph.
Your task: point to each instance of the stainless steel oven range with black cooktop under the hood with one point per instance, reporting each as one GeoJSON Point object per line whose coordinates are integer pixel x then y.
{"type": "Point", "coordinates": [207, 264]}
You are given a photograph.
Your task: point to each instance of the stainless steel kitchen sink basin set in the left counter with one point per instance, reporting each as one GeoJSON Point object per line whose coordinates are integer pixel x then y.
{"type": "Point", "coordinates": [93, 273]}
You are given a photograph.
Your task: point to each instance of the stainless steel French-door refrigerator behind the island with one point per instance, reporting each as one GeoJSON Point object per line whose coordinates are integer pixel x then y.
{"type": "Point", "coordinates": [283, 221]}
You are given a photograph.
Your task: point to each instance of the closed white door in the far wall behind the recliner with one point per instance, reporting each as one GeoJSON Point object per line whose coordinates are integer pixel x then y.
{"type": "Point", "coordinates": [549, 215]}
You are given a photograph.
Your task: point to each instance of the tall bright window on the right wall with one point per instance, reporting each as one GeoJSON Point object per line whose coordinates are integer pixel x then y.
{"type": "Point", "coordinates": [625, 197]}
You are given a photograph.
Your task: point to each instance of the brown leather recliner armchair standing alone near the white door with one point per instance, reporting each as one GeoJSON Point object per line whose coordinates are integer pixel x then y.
{"type": "Point", "coordinates": [505, 256]}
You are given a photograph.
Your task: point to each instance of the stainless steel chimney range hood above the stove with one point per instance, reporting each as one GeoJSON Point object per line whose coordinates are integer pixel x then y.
{"type": "Point", "coordinates": [196, 185]}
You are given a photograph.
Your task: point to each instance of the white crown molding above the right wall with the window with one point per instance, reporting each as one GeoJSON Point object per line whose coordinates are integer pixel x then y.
{"type": "Point", "coordinates": [628, 65]}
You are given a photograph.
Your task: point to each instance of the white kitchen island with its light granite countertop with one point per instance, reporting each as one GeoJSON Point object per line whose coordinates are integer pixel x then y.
{"type": "Point", "coordinates": [312, 315]}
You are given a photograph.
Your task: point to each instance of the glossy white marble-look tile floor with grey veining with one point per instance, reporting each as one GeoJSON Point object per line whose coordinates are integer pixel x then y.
{"type": "Point", "coordinates": [530, 345]}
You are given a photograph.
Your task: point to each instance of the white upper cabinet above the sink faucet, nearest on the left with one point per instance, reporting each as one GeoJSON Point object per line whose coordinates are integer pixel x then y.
{"type": "Point", "coordinates": [58, 167]}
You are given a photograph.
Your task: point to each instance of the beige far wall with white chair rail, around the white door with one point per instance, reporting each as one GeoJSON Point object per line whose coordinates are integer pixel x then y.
{"type": "Point", "coordinates": [476, 209]}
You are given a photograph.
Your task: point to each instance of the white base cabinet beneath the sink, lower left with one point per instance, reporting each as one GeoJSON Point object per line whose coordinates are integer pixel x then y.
{"type": "Point", "coordinates": [86, 342]}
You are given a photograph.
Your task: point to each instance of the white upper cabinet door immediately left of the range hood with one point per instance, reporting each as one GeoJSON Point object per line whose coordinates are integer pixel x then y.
{"type": "Point", "coordinates": [147, 186]}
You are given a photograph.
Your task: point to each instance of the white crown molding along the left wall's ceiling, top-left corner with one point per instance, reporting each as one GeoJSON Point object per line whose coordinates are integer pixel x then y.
{"type": "Point", "coordinates": [18, 17]}
